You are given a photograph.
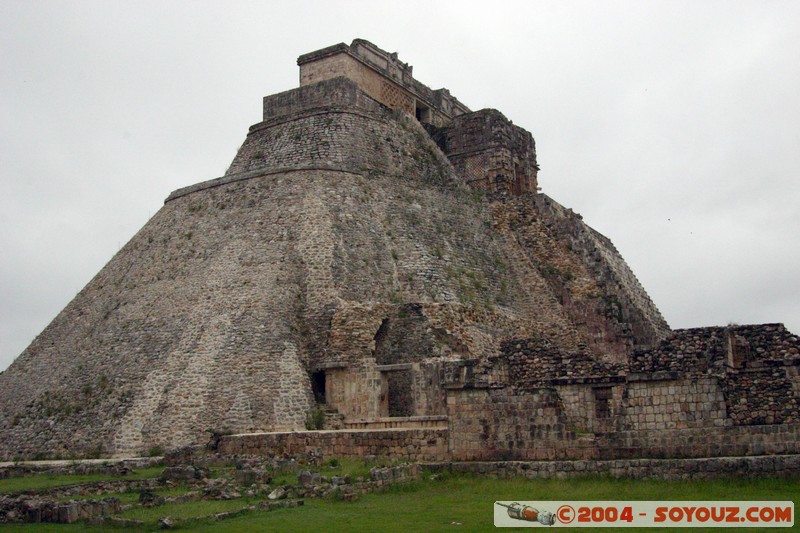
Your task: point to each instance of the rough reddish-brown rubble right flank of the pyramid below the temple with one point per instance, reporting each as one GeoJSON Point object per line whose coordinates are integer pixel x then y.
{"type": "Point", "coordinates": [600, 304]}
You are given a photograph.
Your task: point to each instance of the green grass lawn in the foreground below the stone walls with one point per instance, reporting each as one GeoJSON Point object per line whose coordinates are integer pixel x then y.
{"type": "Point", "coordinates": [451, 503]}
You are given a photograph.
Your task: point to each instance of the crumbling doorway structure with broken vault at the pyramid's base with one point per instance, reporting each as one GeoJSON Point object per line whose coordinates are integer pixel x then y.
{"type": "Point", "coordinates": [393, 359]}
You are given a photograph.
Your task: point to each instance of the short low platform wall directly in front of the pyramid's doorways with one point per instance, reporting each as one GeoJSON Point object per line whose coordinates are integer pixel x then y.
{"type": "Point", "coordinates": [411, 444]}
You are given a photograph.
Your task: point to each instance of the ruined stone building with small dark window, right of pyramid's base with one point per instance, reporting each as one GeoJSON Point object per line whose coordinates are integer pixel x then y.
{"type": "Point", "coordinates": [683, 398]}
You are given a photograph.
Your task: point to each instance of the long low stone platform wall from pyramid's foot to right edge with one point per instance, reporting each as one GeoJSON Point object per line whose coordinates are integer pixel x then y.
{"type": "Point", "coordinates": [553, 442]}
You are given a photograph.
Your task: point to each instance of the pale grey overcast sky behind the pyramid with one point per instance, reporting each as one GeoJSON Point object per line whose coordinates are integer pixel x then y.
{"type": "Point", "coordinates": [672, 127]}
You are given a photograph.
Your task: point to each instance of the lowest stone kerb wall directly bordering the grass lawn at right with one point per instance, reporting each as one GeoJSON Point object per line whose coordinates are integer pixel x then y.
{"type": "Point", "coordinates": [669, 469]}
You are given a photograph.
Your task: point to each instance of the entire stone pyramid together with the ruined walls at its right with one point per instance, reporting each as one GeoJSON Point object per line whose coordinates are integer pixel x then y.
{"type": "Point", "coordinates": [378, 262]}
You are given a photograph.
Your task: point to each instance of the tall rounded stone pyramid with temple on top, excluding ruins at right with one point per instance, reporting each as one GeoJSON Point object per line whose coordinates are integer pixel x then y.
{"type": "Point", "coordinates": [370, 234]}
